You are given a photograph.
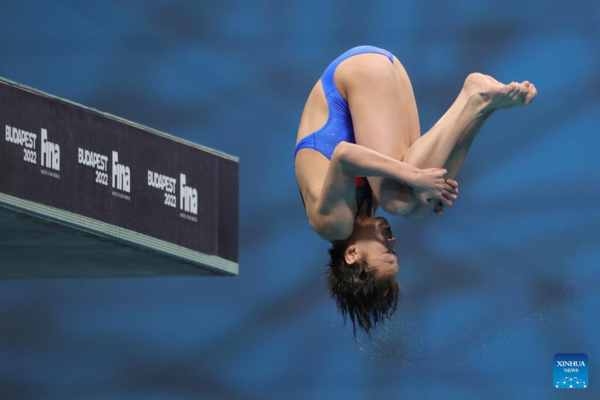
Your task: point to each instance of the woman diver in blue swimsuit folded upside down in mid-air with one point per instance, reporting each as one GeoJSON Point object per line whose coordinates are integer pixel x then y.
{"type": "Point", "coordinates": [359, 147]}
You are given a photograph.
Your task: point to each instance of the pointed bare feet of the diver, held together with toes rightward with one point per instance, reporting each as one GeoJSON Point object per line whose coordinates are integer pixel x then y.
{"type": "Point", "coordinates": [492, 95]}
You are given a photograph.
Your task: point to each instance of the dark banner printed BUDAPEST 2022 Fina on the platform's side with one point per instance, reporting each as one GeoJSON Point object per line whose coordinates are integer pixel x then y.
{"type": "Point", "coordinates": [80, 160]}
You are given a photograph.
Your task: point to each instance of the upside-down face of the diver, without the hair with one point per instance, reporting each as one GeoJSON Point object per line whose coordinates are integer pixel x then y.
{"type": "Point", "coordinates": [373, 241]}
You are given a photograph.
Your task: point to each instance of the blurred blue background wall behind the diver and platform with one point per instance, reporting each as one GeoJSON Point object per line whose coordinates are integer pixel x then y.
{"type": "Point", "coordinates": [493, 289]}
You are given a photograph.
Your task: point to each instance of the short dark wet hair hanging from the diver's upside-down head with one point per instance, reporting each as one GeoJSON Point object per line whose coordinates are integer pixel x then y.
{"type": "Point", "coordinates": [367, 298]}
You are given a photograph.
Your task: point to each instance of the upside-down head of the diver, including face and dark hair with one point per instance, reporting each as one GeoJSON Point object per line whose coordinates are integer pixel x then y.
{"type": "Point", "coordinates": [362, 273]}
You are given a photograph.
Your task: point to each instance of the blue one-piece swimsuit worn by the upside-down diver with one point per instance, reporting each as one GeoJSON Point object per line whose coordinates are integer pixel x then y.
{"type": "Point", "coordinates": [338, 127]}
